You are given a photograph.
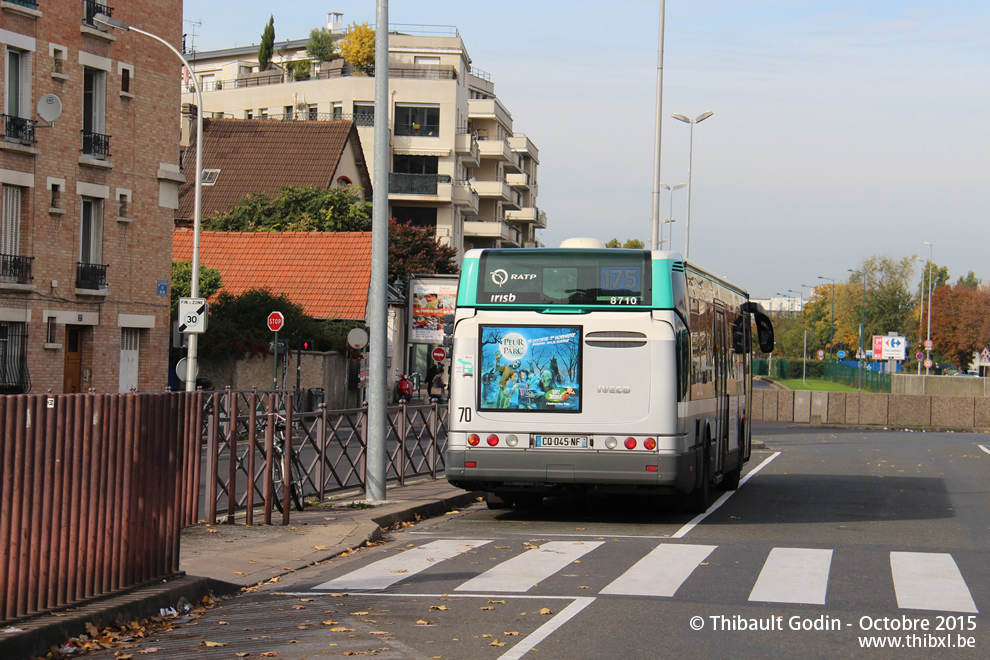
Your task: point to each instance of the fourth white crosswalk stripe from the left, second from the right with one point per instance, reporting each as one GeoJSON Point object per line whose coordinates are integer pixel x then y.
{"type": "Point", "coordinates": [793, 575]}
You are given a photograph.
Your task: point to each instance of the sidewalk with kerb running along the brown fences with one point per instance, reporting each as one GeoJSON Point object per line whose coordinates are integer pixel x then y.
{"type": "Point", "coordinates": [222, 559]}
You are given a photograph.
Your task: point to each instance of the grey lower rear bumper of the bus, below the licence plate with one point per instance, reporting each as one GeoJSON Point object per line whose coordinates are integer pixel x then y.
{"type": "Point", "coordinates": [561, 471]}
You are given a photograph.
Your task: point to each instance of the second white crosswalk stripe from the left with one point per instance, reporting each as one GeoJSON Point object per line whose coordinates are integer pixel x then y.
{"type": "Point", "coordinates": [524, 571]}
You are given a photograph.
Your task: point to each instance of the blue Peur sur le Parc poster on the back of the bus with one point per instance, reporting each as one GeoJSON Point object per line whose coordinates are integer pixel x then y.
{"type": "Point", "coordinates": [530, 368]}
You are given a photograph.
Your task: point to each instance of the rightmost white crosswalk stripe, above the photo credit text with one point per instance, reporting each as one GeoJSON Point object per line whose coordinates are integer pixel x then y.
{"type": "Point", "coordinates": [930, 581]}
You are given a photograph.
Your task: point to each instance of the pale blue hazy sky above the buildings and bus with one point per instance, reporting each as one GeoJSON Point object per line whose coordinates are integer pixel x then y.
{"type": "Point", "coordinates": [841, 130]}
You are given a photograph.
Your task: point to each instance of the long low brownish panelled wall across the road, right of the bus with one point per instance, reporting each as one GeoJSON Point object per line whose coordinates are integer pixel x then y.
{"type": "Point", "coordinates": [894, 410]}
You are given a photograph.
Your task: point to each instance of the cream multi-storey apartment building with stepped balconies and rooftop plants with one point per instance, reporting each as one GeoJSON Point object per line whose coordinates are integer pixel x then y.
{"type": "Point", "coordinates": [456, 164]}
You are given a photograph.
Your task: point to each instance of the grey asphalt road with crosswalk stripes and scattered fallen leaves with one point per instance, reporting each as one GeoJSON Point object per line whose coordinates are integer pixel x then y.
{"type": "Point", "coordinates": [841, 539]}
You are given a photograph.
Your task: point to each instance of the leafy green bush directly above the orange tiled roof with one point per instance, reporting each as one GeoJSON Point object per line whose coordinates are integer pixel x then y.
{"type": "Point", "coordinates": [306, 208]}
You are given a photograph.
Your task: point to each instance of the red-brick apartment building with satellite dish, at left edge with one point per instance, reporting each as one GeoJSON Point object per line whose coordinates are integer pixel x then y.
{"type": "Point", "coordinates": [89, 167]}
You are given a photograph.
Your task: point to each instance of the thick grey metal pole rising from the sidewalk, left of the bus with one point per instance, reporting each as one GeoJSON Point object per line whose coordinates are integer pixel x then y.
{"type": "Point", "coordinates": [377, 300]}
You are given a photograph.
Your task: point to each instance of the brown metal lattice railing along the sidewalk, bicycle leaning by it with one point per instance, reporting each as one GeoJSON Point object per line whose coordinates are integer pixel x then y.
{"type": "Point", "coordinates": [331, 447]}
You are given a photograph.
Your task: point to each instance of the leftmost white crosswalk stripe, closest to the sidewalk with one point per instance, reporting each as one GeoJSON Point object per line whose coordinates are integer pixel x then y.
{"type": "Point", "coordinates": [395, 568]}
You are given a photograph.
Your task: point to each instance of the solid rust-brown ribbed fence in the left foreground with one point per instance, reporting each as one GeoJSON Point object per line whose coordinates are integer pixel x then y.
{"type": "Point", "coordinates": [91, 493]}
